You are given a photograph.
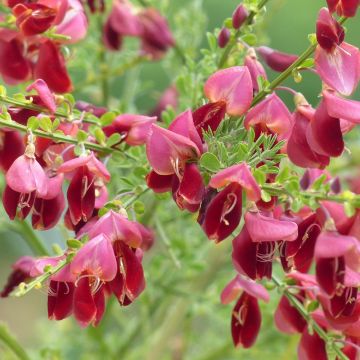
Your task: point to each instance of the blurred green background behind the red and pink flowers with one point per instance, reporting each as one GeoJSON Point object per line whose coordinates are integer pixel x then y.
{"type": "Point", "coordinates": [202, 327]}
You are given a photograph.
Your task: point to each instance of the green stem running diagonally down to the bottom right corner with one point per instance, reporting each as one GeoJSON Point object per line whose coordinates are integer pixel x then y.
{"type": "Point", "coordinates": [303, 312]}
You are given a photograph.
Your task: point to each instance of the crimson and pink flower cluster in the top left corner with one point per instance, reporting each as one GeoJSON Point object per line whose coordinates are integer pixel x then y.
{"type": "Point", "coordinates": [30, 44]}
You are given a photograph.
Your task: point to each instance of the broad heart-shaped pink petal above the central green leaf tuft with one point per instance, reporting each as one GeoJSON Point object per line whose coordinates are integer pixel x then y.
{"type": "Point", "coordinates": [232, 85]}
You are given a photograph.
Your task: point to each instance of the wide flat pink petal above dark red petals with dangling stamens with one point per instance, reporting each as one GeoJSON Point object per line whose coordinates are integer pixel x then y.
{"type": "Point", "coordinates": [262, 228]}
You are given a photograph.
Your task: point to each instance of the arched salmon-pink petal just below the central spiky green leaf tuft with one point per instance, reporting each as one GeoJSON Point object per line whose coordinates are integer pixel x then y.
{"type": "Point", "coordinates": [239, 174]}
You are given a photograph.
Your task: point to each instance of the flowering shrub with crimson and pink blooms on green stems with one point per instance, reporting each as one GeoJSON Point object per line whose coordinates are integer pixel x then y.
{"type": "Point", "coordinates": [254, 172]}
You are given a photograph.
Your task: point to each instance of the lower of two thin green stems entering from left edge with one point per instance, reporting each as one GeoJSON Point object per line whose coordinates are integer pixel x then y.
{"type": "Point", "coordinates": [57, 137]}
